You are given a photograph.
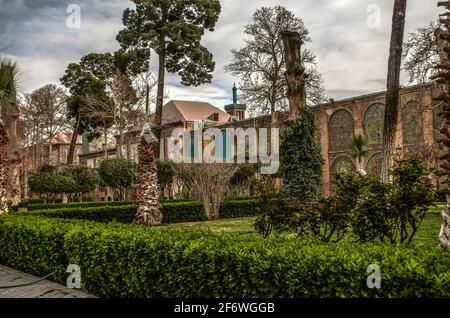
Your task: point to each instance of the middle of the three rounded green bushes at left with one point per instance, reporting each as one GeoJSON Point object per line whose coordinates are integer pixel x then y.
{"type": "Point", "coordinates": [86, 178]}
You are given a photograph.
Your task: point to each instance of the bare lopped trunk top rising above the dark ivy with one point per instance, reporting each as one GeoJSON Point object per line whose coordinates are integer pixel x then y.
{"type": "Point", "coordinates": [295, 73]}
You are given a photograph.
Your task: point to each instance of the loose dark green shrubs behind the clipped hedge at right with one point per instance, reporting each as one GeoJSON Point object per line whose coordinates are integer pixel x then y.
{"type": "Point", "coordinates": [366, 208]}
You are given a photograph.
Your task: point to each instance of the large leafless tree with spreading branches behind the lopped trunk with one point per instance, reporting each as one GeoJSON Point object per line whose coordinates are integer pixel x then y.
{"type": "Point", "coordinates": [260, 64]}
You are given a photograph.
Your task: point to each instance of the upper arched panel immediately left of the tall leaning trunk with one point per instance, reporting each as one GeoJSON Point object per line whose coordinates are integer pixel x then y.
{"type": "Point", "coordinates": [373, 123]}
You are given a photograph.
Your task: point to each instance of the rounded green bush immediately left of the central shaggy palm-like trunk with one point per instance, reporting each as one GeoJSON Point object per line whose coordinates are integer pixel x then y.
{"type": "Point", "coordinates": [118, 173]}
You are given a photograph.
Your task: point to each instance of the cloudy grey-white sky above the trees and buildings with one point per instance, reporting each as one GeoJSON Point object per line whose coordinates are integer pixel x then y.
{"type": "Point", "coordinates": [352, 49]}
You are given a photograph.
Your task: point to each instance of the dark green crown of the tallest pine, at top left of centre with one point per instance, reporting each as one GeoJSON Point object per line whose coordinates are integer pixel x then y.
{"type": "Point", "coordinates": [174, 30]}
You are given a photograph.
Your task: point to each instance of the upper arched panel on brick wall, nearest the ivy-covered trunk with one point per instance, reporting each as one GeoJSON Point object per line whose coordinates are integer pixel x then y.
{"type": "Point", "coordinates": [340, 130]}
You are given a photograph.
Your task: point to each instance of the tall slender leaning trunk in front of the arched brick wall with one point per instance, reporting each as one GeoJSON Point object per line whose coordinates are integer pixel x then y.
{"type": "Point", "coordinates": [393, 86]}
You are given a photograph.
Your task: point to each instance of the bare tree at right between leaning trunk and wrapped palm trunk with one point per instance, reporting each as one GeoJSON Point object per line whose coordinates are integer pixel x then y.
{"type": "Point", "coordinates": [421, 54]}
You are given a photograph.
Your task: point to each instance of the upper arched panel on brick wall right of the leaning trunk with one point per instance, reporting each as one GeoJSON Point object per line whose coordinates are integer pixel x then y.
{"type": "Point", "coordinates": [412, 123]}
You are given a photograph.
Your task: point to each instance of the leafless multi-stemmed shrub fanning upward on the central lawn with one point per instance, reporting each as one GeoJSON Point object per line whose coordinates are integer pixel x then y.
{"type": "Point", "coordinates": [208, 182]}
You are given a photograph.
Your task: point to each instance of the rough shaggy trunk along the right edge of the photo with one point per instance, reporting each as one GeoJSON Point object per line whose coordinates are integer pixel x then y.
{"type": "Point", "coordinates": [443, 79]}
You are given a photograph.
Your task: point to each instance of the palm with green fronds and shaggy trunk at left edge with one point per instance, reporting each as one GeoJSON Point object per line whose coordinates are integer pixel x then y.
{"type": "Point", "coordinates": [8, 88]}
